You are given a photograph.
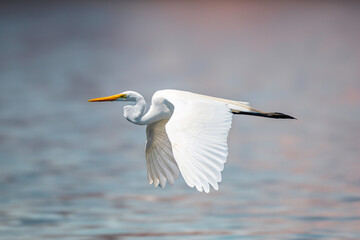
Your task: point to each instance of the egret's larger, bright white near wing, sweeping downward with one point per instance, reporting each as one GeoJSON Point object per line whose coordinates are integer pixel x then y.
{"type": "Point", "coordinates": [198, 130]}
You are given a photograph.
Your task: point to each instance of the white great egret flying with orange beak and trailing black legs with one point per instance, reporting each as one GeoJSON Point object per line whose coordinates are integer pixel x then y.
{"type": "Point", "coordinates": [187, 132]}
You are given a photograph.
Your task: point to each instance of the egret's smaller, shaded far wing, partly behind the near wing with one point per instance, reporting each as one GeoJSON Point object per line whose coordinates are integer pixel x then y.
{"type": "Point", "coordinates": [161, 166]}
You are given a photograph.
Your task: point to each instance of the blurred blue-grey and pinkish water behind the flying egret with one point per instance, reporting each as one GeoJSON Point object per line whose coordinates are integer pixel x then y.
{"type": "Point", "coordinates": [70, 169]}
